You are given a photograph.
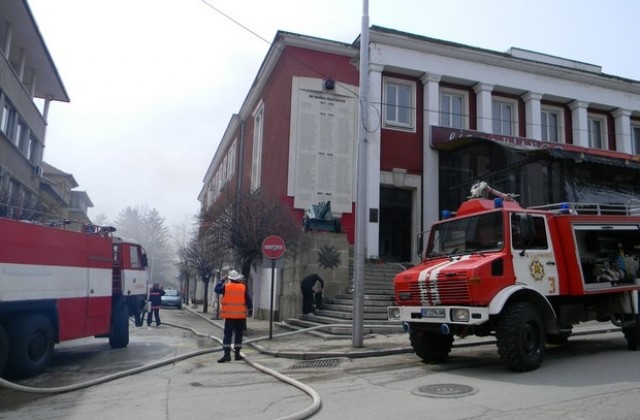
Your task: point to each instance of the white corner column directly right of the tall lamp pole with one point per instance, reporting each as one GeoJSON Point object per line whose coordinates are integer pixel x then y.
{"type": "Point", "coordinates": [373, 162]}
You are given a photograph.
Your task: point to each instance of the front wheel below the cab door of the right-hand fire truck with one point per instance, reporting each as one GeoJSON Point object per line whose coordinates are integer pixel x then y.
{"type": "Point", "coordinates": [520, 337]}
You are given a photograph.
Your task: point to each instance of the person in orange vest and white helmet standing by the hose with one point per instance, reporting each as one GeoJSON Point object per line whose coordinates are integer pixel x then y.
{"type": "Point", "coordinates": [235, 305]}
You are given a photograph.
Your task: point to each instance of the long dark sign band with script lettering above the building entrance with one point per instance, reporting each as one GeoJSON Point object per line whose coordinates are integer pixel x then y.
{"type": "Point", "coordinates": [444, 138]}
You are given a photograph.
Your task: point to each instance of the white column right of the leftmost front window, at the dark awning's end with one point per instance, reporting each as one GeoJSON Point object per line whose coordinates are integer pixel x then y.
{"type": "Point", "coordinates": [431, 106]}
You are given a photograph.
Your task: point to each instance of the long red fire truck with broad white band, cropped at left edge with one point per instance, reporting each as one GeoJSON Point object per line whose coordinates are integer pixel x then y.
{"type": "Point", "coordinates": [59, 284]}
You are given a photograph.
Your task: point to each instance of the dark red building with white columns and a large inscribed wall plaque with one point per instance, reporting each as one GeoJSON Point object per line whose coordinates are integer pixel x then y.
{"type": "Point", "coordinates": [441, 116]}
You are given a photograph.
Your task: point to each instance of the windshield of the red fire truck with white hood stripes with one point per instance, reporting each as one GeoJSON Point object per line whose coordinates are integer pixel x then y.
{"type": "Point", "coordinates": [465, 235]}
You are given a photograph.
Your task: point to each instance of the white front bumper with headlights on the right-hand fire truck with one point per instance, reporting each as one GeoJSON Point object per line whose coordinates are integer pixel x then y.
{"type": "Point", "coordinates": [459, 315]}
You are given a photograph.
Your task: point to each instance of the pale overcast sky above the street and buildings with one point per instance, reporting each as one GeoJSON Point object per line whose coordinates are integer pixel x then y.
{"type": "Point", "coordinates": [153, 83]}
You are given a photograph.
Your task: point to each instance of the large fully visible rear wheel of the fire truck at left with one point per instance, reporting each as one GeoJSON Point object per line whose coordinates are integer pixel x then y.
{"type": "Point", "coordinates": [31, 340]}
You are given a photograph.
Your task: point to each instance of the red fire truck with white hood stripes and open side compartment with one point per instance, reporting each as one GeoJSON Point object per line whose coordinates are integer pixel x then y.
{"type": "Point", "coordinates": [527, 275]}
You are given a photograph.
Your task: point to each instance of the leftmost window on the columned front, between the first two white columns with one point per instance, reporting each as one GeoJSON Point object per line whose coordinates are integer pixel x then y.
{"type": "Point", "coordinates": [399, 103]}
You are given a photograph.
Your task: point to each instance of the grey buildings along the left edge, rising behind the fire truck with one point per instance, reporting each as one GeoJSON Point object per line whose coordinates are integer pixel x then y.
{"type": "Point", "coordinates": [29, 82]}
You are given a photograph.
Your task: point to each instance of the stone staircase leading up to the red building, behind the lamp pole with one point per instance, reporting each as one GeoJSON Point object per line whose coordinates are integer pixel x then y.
{"type": "Point", "coordinates": [378, 294]}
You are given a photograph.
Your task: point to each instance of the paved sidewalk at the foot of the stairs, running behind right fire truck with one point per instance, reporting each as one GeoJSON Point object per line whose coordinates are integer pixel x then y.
{"type": "Point", "coordinates": [308, 345]}
